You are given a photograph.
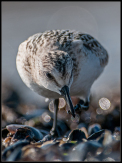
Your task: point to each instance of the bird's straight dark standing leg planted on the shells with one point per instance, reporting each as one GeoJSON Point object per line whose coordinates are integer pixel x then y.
{"type": "Point", "coordinates": [52, 133]}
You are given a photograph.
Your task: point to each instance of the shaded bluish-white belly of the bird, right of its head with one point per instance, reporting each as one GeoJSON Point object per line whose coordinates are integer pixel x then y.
{"type": "Point", "coordinates": [82, 83]}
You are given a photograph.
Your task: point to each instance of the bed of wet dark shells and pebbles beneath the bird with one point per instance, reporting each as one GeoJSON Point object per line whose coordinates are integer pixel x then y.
{"type": "Point", "coordinates": [95, 138]}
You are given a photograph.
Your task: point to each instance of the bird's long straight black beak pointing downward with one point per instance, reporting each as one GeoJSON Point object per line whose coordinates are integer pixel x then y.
{"type": "Point", "coordinates": [65, 93]}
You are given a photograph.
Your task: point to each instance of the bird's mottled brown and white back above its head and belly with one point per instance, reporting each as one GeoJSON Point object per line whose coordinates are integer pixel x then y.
{"type": "Point", "coordinates": [69, 41]}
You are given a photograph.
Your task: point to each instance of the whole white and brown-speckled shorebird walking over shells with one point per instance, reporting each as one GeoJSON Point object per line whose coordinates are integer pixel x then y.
{"type": "Point", "coordinates": [60, 63]}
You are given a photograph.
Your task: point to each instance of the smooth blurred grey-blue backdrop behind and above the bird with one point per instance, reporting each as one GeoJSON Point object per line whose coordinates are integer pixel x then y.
{"type": "Point", "coordinates": [23, 19]}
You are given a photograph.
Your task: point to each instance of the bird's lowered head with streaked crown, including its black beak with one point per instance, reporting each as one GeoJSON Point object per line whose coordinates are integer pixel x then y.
{"type": "Point", "coordinates": [56, 73]}
